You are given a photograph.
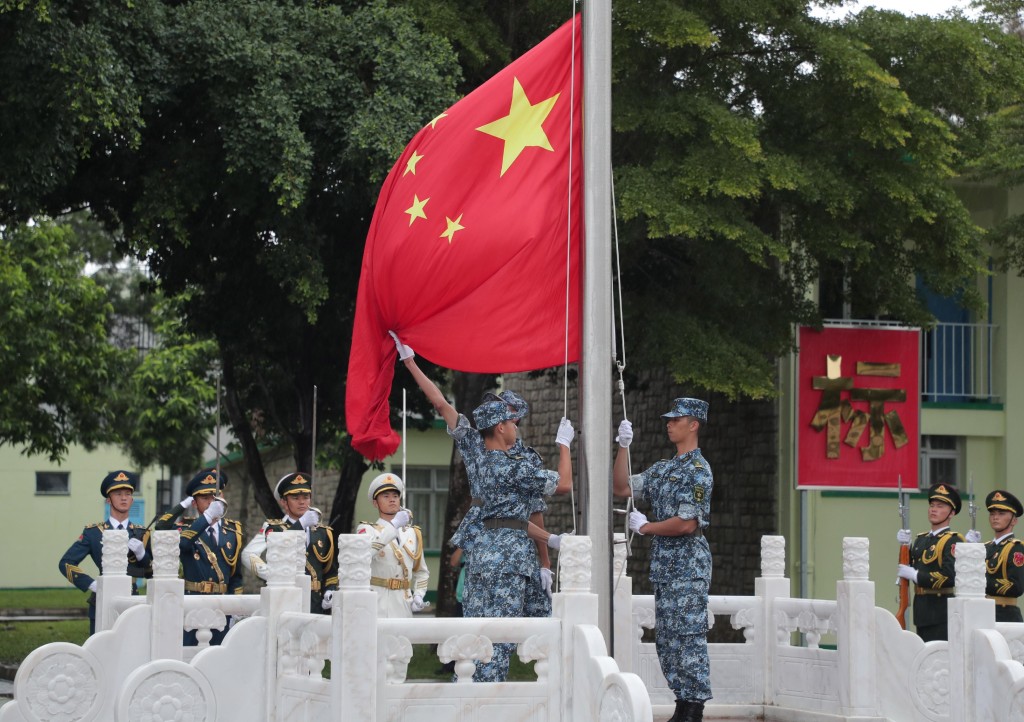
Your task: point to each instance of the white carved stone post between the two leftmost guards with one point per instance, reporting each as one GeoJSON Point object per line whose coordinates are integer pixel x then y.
{"type": "Point", "coordinates": [166, 597]}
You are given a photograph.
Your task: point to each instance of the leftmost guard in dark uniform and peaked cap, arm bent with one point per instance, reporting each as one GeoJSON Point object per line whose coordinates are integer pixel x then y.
{"type": "Point", "coordinates": [118, 488]}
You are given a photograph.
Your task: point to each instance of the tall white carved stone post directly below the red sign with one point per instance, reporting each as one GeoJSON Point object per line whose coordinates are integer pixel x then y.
{"type": "Point", "coordinates": [856, 630]}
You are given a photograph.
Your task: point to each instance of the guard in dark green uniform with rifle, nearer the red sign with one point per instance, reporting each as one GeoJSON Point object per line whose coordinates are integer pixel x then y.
{"type": "Point", "coordinates": [932, 567]}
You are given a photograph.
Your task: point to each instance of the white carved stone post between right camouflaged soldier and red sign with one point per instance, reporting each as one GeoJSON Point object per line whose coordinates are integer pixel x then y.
{"type": "Point", "coordinates": [771, 586]}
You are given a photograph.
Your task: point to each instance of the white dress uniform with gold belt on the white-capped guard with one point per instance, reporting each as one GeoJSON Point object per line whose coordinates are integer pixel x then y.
{"type": "Point", "coordinates": [398, 569]}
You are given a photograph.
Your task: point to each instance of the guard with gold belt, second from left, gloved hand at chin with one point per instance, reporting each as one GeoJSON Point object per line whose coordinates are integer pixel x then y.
{"type": "Point", "coordinates": [209, 547]}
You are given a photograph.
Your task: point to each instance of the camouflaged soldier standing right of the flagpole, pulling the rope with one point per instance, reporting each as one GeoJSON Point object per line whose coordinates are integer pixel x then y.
{"type": "Point", "coordinates": [679, 493]}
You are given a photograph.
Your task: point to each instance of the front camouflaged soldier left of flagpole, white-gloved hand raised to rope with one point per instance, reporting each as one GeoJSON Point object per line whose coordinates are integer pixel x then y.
{"type": "Point", "coordinates": [504, 560]}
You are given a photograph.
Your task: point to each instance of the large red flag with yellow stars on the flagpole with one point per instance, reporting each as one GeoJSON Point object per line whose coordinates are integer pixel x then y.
{"type": "Point", "coordinates": [474, 252]}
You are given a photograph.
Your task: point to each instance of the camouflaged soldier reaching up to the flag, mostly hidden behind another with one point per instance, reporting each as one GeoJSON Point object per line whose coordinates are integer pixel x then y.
{"type": "Point", "coordinates": [471, 445]}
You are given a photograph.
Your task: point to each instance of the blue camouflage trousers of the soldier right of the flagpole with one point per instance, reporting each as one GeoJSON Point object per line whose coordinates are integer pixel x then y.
{"type": "Point", "coordinates": [681, 638]}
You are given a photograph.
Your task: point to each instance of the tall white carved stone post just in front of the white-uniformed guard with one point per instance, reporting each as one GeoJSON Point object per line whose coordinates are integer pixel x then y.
{"type": "Point", "coordinates": [354, 640]}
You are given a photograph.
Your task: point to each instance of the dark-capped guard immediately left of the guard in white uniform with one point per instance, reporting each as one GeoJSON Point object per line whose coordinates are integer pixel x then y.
{"type": "Point", "coordinates": [294, 492]}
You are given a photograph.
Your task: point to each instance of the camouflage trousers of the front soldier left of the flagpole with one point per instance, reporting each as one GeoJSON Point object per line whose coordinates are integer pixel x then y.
{"type": "Point", "coordinates": [495, 596]}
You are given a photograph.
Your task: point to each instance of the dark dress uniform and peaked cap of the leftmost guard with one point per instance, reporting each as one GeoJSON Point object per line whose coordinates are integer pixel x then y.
{"type": "Point", "coordinates": [91, 544]}
